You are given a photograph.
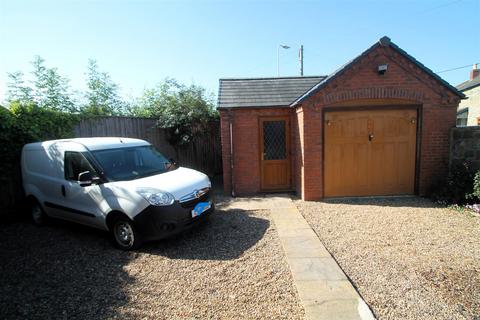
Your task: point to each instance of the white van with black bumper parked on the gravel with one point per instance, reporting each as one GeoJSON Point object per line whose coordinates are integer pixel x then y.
{"type": "Point", "coordinates": [121, 185]}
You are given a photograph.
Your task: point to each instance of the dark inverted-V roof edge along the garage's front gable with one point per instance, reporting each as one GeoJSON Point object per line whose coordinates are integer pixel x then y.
{"type": "Point", "coordinates": [384, 41]}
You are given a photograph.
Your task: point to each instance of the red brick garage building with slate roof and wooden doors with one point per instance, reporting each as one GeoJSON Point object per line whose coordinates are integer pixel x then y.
{"type": "Point", "coordinates": [359, 131]}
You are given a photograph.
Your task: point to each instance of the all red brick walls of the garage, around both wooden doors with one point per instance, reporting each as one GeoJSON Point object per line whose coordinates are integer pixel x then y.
{"type": "Point", "coordinates": [360, 85]}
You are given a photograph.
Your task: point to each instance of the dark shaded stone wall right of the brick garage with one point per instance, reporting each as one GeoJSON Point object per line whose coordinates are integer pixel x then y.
{"type": "Point", "coordinates": [465, 146]}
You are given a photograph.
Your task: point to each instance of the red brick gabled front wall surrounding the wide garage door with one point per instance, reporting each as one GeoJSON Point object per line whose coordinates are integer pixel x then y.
{"type": "Point", "coordinates": [361, 85]}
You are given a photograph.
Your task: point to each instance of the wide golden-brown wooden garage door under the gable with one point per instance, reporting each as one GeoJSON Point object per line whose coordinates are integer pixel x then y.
{"type": "Point", "coordinates": [370, 152]}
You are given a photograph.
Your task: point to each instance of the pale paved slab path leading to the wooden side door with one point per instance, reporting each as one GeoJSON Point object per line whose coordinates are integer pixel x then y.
{"type": "Point", "coordinates": [325, 291]}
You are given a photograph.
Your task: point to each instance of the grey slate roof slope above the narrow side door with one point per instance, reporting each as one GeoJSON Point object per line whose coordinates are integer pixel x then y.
{"type": "Point", "coordinates": [263, 92]}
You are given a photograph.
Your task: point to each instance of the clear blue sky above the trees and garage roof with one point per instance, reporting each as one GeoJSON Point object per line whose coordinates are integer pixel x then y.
{"type": "Point", "coordinates": [142, 42]}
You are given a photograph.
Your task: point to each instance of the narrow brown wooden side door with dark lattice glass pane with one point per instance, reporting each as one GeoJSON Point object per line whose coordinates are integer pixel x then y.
{"type": "Point", "coordinates": [274, 153]}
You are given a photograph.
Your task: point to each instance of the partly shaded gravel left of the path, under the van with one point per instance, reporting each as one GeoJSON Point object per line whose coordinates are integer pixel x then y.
{"type": "Point", "coordinates": [231, 267]}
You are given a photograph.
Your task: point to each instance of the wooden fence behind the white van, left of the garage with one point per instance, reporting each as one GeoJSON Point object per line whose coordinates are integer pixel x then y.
{"type": "Point", "coordinates": [203, 153]}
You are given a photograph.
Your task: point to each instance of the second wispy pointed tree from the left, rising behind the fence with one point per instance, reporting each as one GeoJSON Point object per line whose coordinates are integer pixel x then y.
{"type": "Point", "coordinates": [102, 94]}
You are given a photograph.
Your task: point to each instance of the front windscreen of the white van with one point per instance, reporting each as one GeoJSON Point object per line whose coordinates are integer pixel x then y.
{"type": "Point", "coordinates": [131, 162]}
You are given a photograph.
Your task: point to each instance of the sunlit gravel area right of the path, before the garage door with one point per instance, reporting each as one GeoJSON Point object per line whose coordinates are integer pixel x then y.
{"type": "Point", "coordinates": [409, 258]}
